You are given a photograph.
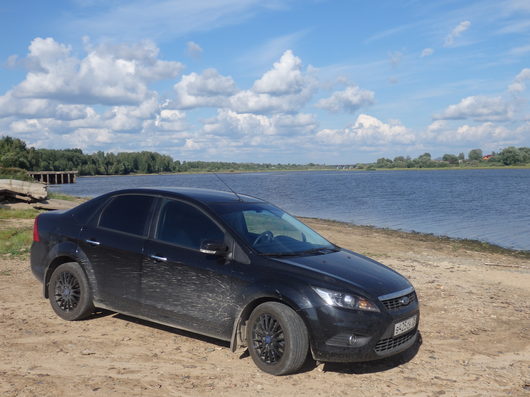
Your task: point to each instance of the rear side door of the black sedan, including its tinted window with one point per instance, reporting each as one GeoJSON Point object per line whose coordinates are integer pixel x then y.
{"type": "Point", "coordinates": [114, 244]}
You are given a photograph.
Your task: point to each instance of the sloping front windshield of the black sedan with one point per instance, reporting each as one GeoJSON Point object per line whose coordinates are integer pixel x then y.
{"type": "Point", "coordinates": [271, 231]}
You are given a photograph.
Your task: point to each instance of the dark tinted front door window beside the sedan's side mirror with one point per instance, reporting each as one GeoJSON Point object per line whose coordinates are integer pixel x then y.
{"type": "Point", "coordinates": [184, 225]}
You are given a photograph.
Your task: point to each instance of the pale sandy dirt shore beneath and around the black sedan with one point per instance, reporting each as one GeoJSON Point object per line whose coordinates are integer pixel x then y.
{"type": "Point", "coordinates": [475, 327]}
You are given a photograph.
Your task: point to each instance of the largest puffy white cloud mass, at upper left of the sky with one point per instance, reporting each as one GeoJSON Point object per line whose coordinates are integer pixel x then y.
{"type": "Point", "coordinates": [111, 75]}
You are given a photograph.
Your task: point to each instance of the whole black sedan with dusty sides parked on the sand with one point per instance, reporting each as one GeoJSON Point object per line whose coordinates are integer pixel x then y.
{"type": "Point", "coordinates": [225, 265]}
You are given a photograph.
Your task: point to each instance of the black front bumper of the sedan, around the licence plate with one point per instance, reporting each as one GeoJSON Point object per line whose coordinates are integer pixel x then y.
{"type": "Point", "coordinates": [342, 335]}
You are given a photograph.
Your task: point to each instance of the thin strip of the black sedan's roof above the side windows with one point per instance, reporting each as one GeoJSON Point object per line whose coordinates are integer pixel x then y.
{"type": "Point", "coordinates": [206, 196]}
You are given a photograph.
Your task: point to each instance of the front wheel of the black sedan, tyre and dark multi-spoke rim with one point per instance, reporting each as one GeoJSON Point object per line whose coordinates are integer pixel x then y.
{"type": "Point", "coordinates": [277, 339]}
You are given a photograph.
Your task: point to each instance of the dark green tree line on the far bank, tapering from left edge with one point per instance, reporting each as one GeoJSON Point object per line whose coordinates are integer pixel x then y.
{"type": "Point", "coordinates": [14, 153]}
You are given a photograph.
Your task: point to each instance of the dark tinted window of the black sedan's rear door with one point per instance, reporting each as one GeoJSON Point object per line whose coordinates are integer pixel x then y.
{"type": "Point", "coordinates": [127, 214]}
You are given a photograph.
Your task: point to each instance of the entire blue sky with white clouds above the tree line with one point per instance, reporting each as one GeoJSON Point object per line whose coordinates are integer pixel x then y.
{"type": "Point", "coordinates": [277, 81]}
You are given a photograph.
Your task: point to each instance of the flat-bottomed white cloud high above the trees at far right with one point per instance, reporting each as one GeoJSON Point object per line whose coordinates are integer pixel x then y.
{"type": "Point", "coordinates": [479, 108]}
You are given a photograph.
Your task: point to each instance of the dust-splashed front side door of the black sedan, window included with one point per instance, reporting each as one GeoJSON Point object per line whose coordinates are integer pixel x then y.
{"type": "Point", "coordinates": [181, 285]}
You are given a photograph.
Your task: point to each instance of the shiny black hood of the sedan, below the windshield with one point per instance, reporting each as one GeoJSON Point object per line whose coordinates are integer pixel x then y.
{"type": "Point", "coordinates": [364, 274]}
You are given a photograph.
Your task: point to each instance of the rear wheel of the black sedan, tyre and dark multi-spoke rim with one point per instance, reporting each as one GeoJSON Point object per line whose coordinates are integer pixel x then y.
{"type": "Point", "coordinates": [69, 292]}
